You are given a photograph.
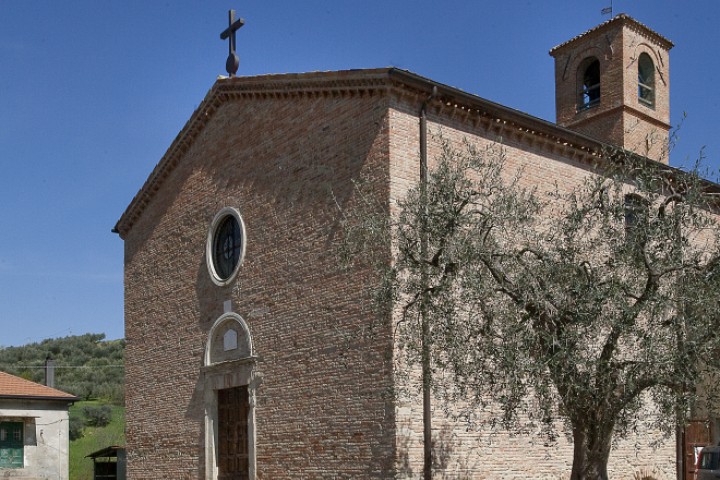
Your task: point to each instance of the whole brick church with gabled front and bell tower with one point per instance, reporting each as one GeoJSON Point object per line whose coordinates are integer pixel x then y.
{"type": "Point", "coordinates": [245, 356]}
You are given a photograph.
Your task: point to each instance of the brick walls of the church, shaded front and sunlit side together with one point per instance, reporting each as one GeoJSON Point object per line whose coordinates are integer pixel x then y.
{"type": "Point", "coordinates": [285, 157]}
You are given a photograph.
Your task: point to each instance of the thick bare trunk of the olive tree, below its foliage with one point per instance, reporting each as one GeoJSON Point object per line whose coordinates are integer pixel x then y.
{"type": "Point", "coordinates": [591, 451]}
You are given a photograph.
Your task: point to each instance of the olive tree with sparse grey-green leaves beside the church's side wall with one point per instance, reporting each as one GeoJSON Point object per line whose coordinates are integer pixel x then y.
{"type": "Point", "coordinates": [576, 306]}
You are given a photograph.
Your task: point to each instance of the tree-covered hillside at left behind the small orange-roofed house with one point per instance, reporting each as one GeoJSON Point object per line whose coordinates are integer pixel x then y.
{"type": "Point", "coordinates": [87, 366]}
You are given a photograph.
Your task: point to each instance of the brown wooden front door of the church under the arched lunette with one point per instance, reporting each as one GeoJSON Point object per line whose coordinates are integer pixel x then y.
{"type": "Point", "coordinates": [233, 434]}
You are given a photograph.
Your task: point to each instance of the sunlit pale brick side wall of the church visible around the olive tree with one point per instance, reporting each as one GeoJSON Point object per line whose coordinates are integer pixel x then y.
{"type": "Point", "coordinates": [461, 451]}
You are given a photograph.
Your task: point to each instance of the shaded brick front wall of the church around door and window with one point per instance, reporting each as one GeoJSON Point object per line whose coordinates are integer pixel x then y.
{"type": "Point", "coordinates": [323, 408]}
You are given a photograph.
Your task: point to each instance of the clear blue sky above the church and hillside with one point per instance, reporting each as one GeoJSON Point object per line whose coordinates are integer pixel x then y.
{"type": "Point", "coordinates": [92, 92]}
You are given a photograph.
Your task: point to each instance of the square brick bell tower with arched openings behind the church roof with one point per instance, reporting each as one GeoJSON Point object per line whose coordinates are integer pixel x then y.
{"type": "Point", "coordinates": [613, 83]}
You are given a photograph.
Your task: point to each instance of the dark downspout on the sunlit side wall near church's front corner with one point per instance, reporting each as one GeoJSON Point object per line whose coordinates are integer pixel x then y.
{"type": "Point", "coordinates": [425, 329]}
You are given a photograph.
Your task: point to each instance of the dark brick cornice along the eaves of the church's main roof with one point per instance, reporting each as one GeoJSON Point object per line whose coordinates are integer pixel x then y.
{"type": "Point", "coordinates": [495, 117]}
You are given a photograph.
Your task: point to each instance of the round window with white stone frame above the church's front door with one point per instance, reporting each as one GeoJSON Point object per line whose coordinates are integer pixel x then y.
{"type": "Point", "coordinates": [225, 245]}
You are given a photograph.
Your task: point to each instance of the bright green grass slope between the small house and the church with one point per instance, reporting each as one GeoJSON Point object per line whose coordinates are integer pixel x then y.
{"type": "Point", "coordinates": [94, 439]}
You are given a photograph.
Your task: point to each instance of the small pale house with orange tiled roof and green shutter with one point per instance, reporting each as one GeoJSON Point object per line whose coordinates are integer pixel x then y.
{"type": "Point", "coordinates": [34, 430]}
